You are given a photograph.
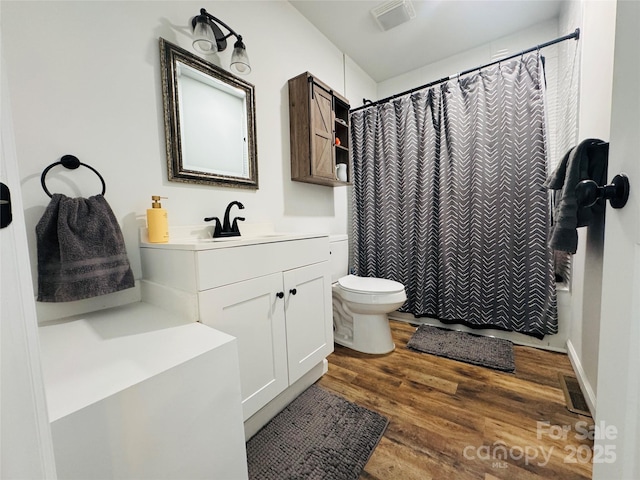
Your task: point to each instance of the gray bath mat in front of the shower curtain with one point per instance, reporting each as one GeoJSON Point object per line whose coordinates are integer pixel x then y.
{"type": "Point", "coordinates": [465, 347]}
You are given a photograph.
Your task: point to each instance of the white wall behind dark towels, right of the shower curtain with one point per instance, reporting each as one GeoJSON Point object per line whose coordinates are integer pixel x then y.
{"type": "Point", "coordinates": [597, 23]}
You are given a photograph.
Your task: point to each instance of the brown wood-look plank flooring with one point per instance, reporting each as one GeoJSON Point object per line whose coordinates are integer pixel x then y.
{"type": "Point", "coordinates": [452, 420]}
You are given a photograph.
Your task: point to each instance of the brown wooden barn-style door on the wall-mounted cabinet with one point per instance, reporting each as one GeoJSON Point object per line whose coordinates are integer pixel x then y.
{"type": "Point", "coordinates": [322, 119]}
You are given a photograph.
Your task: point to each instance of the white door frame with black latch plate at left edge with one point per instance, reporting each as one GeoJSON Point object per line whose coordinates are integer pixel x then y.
{"type": "Point", "coordinates": [26, 447]}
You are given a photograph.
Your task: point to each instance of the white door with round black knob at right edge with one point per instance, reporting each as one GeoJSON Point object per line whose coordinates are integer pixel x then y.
{"type": "Point", "coordinates": [617, 436]}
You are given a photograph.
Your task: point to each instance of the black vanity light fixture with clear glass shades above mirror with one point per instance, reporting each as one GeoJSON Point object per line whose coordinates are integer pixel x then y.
{"type": "Point", "coordinates": [209, 38]}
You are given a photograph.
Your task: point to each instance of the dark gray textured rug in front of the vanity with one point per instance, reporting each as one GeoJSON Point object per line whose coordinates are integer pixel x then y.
{"type": "Point", "coordinates": [318, 436]}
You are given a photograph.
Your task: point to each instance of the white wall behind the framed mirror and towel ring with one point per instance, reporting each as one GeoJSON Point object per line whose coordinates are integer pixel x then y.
{"type": "Point", "coordinates": [85, 80]}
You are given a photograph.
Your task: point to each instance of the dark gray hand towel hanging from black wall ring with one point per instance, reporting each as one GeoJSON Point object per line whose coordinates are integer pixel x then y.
{"type": "Point", "coordinates": [81, 251]}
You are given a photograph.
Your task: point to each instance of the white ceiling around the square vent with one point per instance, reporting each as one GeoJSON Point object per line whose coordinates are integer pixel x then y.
{"type": "Point", "coordinates": [441, 29]}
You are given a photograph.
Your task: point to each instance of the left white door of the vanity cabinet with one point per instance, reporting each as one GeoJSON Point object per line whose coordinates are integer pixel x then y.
{"type": "Point", "coordinates": [251, 312]}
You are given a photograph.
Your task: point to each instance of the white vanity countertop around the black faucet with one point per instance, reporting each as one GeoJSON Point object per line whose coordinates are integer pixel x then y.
{"type": "Point", "coordinates": [199, 238]}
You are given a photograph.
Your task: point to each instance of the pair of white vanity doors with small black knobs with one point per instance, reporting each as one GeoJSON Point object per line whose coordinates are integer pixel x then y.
{"type": "Point", "coordinates": [280, 323]}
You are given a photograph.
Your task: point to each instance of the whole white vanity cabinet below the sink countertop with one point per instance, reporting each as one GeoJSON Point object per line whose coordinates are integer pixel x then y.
{"type": "Point", "coordinates": [273, 295]}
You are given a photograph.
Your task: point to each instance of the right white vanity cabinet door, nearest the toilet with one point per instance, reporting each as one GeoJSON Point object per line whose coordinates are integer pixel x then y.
{"type": "Point", "coordinates": [308, 316]}
